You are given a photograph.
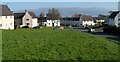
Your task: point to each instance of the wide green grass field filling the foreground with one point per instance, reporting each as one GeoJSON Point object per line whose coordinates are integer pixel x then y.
{"type": "Point", "coordinates": [48, 44]}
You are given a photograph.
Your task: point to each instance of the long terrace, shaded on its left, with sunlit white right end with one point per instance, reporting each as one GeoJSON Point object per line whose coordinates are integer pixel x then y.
{"type": "Point", "coordinates": [83, 20]}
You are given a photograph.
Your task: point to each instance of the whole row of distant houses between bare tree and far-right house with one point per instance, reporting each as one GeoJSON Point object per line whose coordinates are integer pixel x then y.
{"type": "Point", "coordinates": [83, 20]}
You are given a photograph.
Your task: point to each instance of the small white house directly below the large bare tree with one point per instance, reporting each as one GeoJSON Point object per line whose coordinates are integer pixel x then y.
{"type": "Point", "coordinates": [48, 22]}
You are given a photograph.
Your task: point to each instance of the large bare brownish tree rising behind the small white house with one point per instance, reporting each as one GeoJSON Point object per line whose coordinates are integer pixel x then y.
{"type": "Point", "coordinates": [53, 14]}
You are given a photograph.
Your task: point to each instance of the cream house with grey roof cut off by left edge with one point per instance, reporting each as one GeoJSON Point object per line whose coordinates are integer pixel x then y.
{"type": "Point", "coordinates": [6, 17]}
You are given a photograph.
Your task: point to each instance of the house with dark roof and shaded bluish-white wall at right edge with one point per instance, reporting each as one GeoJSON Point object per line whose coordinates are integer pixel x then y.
{"type": "Point", "coordinates": [114, 19]}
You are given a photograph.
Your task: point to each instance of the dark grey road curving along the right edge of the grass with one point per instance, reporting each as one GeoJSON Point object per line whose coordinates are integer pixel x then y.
{"type": "Point", "coordinates": [100, 33]}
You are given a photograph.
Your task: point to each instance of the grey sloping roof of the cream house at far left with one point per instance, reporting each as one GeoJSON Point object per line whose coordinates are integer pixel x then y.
{"type": "Point", "coordinates": [5, 10]}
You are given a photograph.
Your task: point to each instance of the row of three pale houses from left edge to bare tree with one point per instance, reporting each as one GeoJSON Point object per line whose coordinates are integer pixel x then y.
{"type": "Point", "coordinates": [10, 20]}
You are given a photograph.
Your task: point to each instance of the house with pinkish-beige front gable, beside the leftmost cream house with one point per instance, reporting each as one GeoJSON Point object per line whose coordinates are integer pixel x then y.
{"type": "Point", "coordinates": [26, 19]}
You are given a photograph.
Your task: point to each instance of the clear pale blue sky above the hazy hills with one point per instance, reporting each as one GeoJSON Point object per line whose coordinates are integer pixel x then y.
{"type": "Point", "coordinates": [36, 5]}
